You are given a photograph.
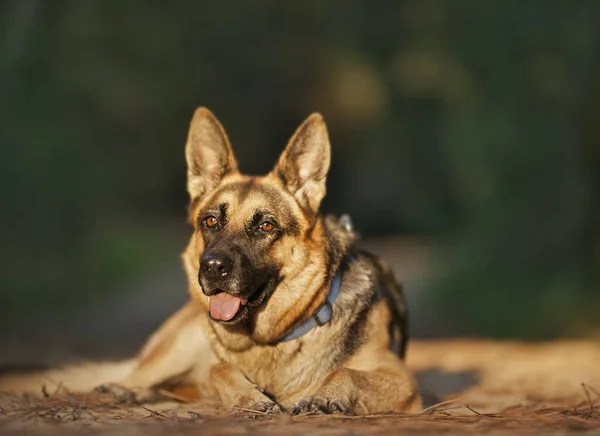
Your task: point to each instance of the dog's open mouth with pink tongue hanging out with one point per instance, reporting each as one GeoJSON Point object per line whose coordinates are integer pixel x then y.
{"type": "Point", "coordinates": [228, 308]}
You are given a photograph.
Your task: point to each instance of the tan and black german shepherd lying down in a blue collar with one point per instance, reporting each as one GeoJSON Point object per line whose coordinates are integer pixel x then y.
{"type": "Point", "coordinates": [286, 312]}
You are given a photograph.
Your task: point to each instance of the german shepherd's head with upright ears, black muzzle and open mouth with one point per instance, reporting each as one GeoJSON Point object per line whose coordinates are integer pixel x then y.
{"type": "Point", "coordinates": [254, 233]}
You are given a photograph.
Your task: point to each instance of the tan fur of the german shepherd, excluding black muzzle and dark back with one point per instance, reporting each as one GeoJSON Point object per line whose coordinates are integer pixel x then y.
{"type": "Point", "coordinates": [239, 364]}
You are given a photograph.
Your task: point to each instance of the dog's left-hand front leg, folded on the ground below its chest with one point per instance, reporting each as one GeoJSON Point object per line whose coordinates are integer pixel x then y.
{"type": "Point", "coordinates": [230, 385]}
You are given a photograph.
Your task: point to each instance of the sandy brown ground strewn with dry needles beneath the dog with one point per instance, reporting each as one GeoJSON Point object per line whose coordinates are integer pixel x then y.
{"type": "Point", "coordinates": [468, 387]}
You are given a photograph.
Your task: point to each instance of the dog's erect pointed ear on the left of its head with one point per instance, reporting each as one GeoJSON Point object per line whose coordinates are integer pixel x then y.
{"type": "Point", "coordinates": [208, 154]}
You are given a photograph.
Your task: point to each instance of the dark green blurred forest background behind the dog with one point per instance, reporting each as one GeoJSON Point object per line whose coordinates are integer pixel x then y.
{"type": "Point", "coordinates": [466, 147]}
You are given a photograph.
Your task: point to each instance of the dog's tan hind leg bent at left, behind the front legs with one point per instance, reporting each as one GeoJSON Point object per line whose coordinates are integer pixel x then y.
{"type": "Point", "coordinates": [176, 348]}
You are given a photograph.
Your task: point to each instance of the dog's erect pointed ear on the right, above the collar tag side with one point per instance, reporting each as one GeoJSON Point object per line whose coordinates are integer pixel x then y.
{"type": "Point", "coordinates": [304, 163]}
